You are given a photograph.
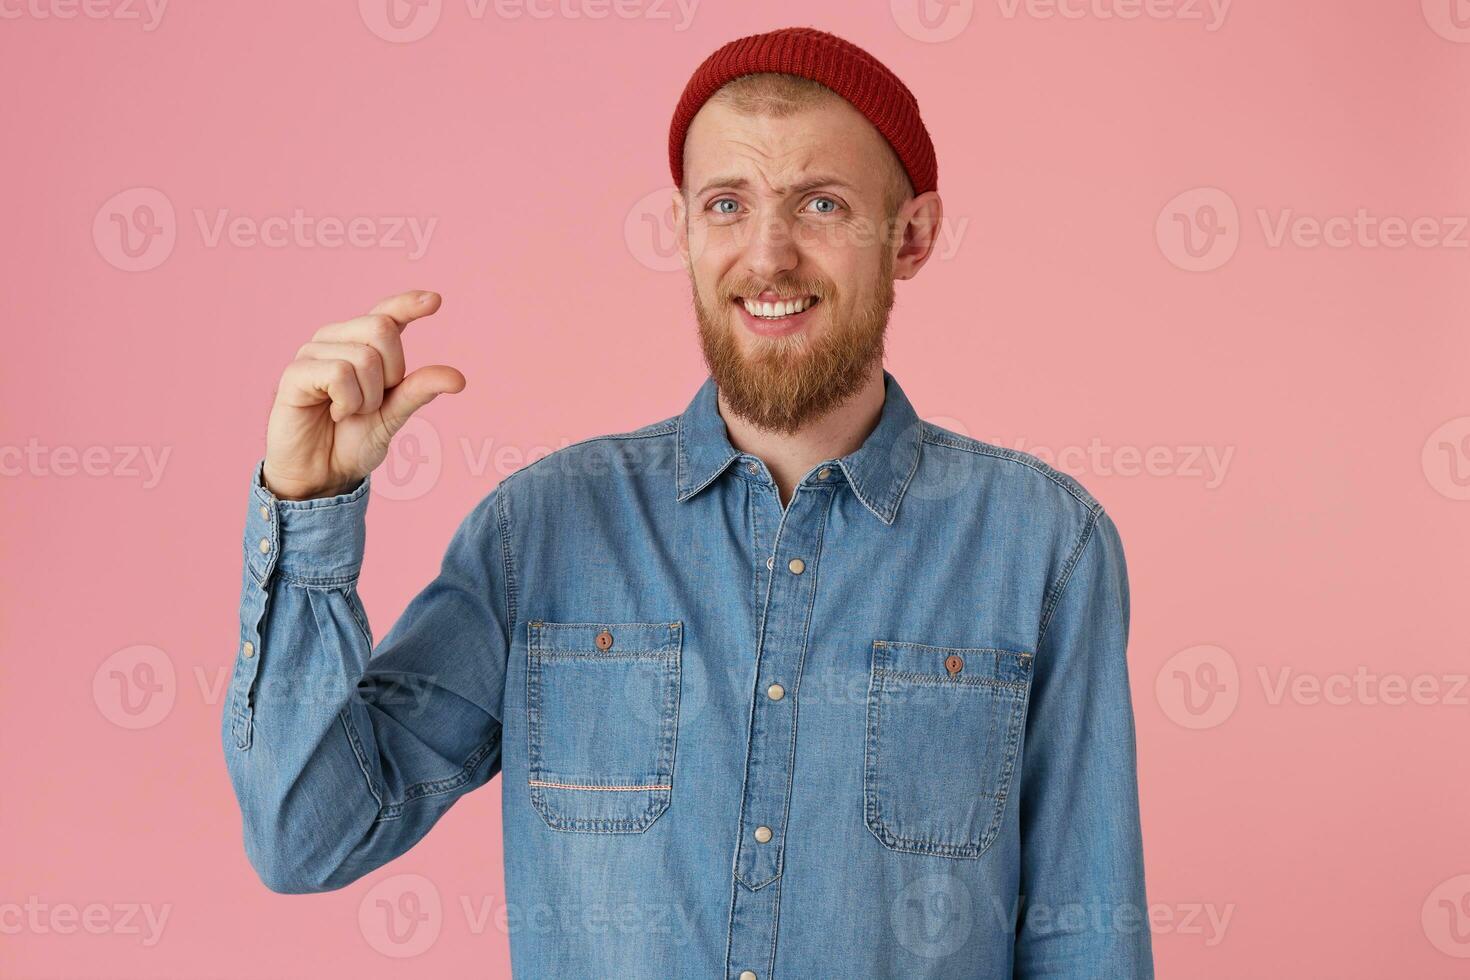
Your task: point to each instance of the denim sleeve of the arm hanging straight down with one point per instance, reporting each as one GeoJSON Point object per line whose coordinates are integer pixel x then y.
{"type": "Point", "coordinates": [1084, 910]}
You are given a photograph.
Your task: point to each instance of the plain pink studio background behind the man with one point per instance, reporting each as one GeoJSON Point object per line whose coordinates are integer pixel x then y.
{"type": "Point", "coordinates": [1288, 832]}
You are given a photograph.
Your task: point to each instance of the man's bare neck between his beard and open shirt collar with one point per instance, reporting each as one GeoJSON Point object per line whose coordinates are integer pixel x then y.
{"type": "Point", "coordinates": [842, 431]}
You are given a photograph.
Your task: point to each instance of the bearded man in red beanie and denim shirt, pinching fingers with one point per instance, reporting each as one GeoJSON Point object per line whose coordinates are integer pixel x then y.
{"type": "Point", "coordinates": [793, 684]}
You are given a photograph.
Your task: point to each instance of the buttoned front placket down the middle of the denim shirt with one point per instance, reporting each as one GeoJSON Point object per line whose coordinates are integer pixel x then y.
{"type": "Point", "coordinates": [771, 750]}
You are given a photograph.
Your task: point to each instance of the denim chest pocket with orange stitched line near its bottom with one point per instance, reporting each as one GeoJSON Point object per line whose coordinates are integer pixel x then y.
{"type": "Point", "coordinates": [602, 715]}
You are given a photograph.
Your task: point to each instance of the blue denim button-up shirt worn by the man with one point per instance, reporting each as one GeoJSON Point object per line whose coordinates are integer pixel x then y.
{"type": "Point", "coordinates": [880, 732]}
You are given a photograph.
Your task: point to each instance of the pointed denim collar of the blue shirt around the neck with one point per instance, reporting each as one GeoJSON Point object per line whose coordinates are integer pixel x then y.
{"type": "Point", "coordinates": [878, 471]}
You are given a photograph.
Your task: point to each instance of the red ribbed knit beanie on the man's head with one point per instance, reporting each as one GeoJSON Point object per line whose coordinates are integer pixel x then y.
{"type": "Point", "coordinates": [825, 58]}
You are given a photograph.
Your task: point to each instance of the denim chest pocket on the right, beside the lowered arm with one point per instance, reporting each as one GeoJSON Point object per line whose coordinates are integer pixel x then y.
{"type": "Point", "coordinates": [944, 728]}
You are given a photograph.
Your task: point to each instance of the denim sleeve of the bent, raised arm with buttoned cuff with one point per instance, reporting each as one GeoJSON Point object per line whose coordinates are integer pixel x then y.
{"type": "Point", "coordinates": [343, 757]}
